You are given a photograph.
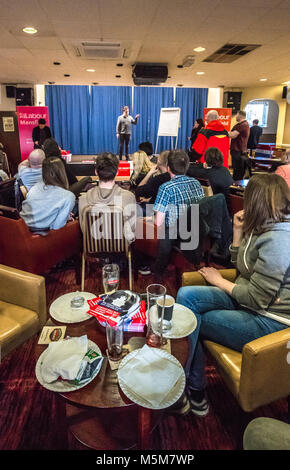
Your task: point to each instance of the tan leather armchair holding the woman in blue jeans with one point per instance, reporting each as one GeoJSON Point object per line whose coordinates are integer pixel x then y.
{"type": "Point", "coordinates": [260, 374]}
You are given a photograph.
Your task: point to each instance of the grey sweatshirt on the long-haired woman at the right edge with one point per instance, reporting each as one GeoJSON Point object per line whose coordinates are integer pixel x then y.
{"type": "Point", "coordinates": [264, 265]}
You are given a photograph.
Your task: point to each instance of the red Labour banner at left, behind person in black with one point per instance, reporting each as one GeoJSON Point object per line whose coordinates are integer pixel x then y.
{"type": "Point", "coordinates": [28, 117]}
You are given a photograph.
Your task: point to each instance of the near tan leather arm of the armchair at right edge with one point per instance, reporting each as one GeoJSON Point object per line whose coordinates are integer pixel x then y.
{"type": "Point", "coordinates": [265, 370]}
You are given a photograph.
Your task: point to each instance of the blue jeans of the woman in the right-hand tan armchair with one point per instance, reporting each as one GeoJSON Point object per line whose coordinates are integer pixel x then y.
{"type": "Point", "coordinates": [222, 320]}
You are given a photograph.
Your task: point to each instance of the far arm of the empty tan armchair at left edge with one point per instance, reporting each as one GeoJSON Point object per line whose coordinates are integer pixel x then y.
{"type": "Point", "coordinates": [24, 289]}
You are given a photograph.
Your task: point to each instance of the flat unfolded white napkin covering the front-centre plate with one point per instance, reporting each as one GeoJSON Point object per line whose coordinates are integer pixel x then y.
{"type": "Point", "coordinates": [150, 375]}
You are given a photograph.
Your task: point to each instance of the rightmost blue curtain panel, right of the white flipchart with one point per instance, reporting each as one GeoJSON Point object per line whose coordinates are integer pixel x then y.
{"type": "Point", "coordinates": [191, 101]}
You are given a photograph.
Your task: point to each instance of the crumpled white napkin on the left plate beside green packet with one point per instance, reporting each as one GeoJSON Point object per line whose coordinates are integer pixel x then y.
{"type": "Point", "coordinates": [64, 359]}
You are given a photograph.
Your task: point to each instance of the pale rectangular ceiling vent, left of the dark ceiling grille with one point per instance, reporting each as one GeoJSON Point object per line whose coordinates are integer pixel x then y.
{"type": "Point", "coordinates": [99, 50]}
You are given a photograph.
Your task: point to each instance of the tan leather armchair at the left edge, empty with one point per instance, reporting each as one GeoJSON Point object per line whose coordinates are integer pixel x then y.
{"type": "Point", "coordinates": [22, 307]}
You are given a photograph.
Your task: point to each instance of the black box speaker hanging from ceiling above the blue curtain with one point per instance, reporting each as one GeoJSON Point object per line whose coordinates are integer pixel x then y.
{"type": "Point", "coordinates": [149, 74]}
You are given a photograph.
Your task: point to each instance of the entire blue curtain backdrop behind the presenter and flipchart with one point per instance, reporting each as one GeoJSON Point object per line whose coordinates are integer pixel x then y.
{"type": "Point", "coordinates": [84, 121]}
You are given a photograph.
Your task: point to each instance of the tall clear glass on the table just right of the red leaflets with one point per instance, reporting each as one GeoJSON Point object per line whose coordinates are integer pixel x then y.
{"type": "Point", "coordinates": [155, 295]}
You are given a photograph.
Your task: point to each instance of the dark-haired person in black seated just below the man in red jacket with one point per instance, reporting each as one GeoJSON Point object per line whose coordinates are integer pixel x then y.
{"type": "Point", "coordinates": [219, 176]}
